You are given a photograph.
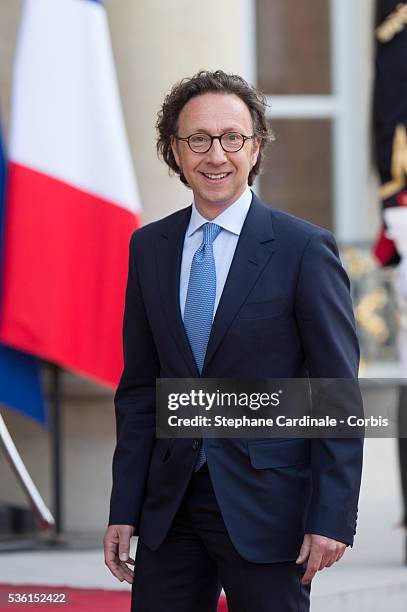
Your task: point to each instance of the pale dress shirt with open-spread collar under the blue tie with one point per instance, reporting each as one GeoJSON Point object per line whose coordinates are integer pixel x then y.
{"type": "Point", "coordinates": [231, 221]}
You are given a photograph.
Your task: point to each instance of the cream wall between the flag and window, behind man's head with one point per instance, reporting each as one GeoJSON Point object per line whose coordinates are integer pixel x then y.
{"type": "Point", "coordinates": [157, 43]}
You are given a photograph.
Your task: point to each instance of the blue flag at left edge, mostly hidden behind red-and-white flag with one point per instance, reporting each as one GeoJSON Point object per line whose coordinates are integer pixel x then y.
{"type": "Point", "coordinates": [20, 376]}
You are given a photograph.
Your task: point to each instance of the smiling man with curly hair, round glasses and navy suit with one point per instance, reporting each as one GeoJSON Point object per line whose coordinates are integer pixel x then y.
{"type": "Point", "coordinates": [228, 288]}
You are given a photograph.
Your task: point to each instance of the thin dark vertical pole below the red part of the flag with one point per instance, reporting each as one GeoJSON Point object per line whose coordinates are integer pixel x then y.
{"type": "Point", "coordinates": [56, 447]}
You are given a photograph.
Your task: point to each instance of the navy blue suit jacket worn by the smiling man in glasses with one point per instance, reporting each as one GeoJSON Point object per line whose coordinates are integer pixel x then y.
{"type": "Point", "coordinates": [285, 312]}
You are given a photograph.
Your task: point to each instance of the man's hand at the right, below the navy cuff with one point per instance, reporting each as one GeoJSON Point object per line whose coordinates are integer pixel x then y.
{"type": "Point", "coordinates": [321, 552]}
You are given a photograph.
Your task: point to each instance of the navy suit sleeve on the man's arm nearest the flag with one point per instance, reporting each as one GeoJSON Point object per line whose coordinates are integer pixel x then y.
{"type": "Point", "coordinates": [134, 404]}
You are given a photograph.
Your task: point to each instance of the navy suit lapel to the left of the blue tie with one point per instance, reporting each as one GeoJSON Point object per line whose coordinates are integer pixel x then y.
{"type": "Point", "coordinates": [169, 255]}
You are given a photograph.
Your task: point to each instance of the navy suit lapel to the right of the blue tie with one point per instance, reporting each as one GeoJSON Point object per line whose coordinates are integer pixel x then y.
{"type": "Point", "coordinates": [253, 251]}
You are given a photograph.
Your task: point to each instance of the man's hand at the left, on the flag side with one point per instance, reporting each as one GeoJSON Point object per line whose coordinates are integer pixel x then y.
{"type": "Point", "coordinates": [117, 547]}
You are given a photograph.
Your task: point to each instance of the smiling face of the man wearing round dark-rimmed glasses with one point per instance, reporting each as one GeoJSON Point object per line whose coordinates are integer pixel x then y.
{"type": "Point", "coordinates": [217, 178]}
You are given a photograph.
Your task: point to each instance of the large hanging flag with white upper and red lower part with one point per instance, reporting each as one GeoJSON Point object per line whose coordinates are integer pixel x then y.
{"type": "Point", "coordinates": [72, 198]}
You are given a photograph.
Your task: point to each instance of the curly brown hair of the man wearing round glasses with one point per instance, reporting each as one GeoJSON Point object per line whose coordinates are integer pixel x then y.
{"type": "Point", "coordinates": [210, 82]}
